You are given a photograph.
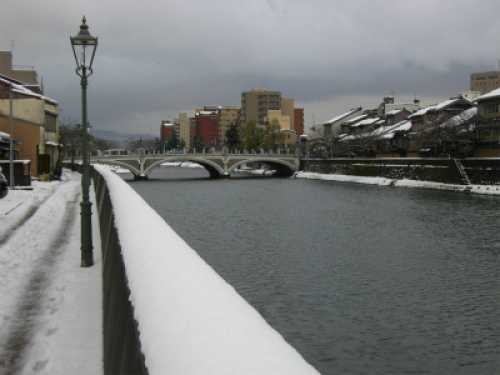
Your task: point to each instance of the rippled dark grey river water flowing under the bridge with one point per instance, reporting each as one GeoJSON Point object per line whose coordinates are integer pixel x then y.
{"type": "Point", "coordinates": [359, 279]}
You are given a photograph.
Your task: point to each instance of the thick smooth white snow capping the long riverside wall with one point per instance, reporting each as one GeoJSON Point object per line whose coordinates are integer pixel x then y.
{"type": "Point", "coordinates": [190, 320]}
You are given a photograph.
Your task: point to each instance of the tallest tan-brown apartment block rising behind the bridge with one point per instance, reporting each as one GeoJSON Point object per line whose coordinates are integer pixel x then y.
{"type": "Point", "coordinates": [256, 103]}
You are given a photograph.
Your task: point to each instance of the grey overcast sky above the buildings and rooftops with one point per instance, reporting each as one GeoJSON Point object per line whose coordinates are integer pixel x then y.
{"type": "Point", "coordinates": [158, 57]}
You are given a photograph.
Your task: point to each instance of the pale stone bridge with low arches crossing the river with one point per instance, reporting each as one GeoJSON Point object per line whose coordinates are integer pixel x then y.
{"type": "Point", "coordinates": [219, 165]}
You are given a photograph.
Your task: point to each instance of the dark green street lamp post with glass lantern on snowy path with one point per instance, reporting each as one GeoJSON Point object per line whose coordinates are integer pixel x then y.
{"type": "Point", "coordinates": [84, 46]}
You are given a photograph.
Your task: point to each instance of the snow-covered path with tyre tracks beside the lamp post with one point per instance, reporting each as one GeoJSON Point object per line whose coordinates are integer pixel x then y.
{"type": "Point", "coordinates": [51, 309]}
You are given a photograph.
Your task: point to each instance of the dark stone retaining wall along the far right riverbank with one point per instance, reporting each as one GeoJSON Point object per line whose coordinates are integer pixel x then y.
{"type": "Point", "coordinates": [478, 171]}
